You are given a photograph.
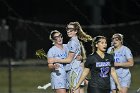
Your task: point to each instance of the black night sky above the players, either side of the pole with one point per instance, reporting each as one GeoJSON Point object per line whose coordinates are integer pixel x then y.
{"type": "Point", "coordinates": [61, 11]}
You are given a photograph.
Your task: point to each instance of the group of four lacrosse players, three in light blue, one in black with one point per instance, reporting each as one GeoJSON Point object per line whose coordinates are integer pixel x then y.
{"type": "Point", "coordinates": [108, 68]}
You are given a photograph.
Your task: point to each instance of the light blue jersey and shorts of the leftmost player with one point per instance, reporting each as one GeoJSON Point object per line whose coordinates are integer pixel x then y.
{"type": "Point", "coordinates": [58, 76]}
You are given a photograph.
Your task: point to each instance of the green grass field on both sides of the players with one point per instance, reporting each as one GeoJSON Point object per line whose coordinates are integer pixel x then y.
{"type": "Point", "coordinates": [26, 79]}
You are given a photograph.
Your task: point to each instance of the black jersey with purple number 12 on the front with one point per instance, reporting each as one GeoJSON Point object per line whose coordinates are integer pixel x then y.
{"type": "Point", "coordinates": [100, 70]}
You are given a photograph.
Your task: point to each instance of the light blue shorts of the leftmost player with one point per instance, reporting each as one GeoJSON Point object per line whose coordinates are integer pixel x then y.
{"type": "Point", "coordinates": [59, 78]}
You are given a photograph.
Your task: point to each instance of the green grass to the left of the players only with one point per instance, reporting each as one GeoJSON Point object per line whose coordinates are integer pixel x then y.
{"type": "Point", "coordinates": [25, 79]}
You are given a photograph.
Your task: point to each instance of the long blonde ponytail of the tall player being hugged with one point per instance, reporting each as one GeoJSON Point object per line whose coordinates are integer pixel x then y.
{"type": "Point", "coordinates": [80, 33]}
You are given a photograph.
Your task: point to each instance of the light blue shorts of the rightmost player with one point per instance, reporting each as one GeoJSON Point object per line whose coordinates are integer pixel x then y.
{"type": "Point", "coordinates": [124, 79]}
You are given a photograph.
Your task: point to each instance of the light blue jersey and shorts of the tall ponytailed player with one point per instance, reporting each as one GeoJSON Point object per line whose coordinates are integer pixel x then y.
{"type": "Point", "coordinates": [76, 68]}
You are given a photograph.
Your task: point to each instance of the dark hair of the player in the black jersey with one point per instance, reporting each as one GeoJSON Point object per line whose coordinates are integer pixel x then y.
{"type": "Point", "coordinates": [95, 41]}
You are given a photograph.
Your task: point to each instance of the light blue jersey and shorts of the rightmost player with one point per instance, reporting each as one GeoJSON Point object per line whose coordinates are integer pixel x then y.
{"type": "Point", "coordinates": [122, 55]}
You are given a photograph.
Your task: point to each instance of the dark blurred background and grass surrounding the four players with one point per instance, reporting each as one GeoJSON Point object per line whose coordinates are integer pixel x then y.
{"type": "Point", "coordinates": [25, 26]}
